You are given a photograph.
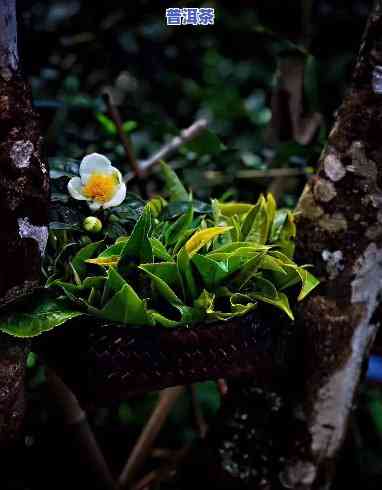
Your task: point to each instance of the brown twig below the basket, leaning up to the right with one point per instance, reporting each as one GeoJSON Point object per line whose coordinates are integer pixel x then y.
{"type": "Point", "coordinates": [144, 444]}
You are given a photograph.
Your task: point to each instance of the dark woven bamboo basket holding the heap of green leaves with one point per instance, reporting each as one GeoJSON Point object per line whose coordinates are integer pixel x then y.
{"type": "Point", "coordinates": [105, 361]}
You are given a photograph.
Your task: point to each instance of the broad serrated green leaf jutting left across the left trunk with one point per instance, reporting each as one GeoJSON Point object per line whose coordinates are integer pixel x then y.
{"type": "Point", "coordinates": [45, 315]}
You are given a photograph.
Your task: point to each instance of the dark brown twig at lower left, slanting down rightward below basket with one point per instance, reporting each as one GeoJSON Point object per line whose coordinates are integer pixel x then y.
{"type": "Point", "coordinates": [73, 415]}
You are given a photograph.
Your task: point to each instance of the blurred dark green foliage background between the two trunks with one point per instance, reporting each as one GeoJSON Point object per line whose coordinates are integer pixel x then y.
{"type": "Point", "coordinates": [164, 78]}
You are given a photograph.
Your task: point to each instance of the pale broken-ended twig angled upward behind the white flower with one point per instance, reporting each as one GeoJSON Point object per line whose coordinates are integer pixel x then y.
{"type": "Point", "coordinates": [170, 148]}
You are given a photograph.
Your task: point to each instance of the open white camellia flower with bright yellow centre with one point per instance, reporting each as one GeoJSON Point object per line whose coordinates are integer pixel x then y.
{"type": "Point", "coordinates": [99, 183]}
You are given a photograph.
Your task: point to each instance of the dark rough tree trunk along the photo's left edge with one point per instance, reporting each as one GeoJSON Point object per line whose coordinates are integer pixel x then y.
{"type": "Point", "coordinates": [24, 193]}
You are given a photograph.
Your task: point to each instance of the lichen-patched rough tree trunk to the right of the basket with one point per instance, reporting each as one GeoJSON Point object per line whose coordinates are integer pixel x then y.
{"type": "Point", "coordinates": [340, 232]}
